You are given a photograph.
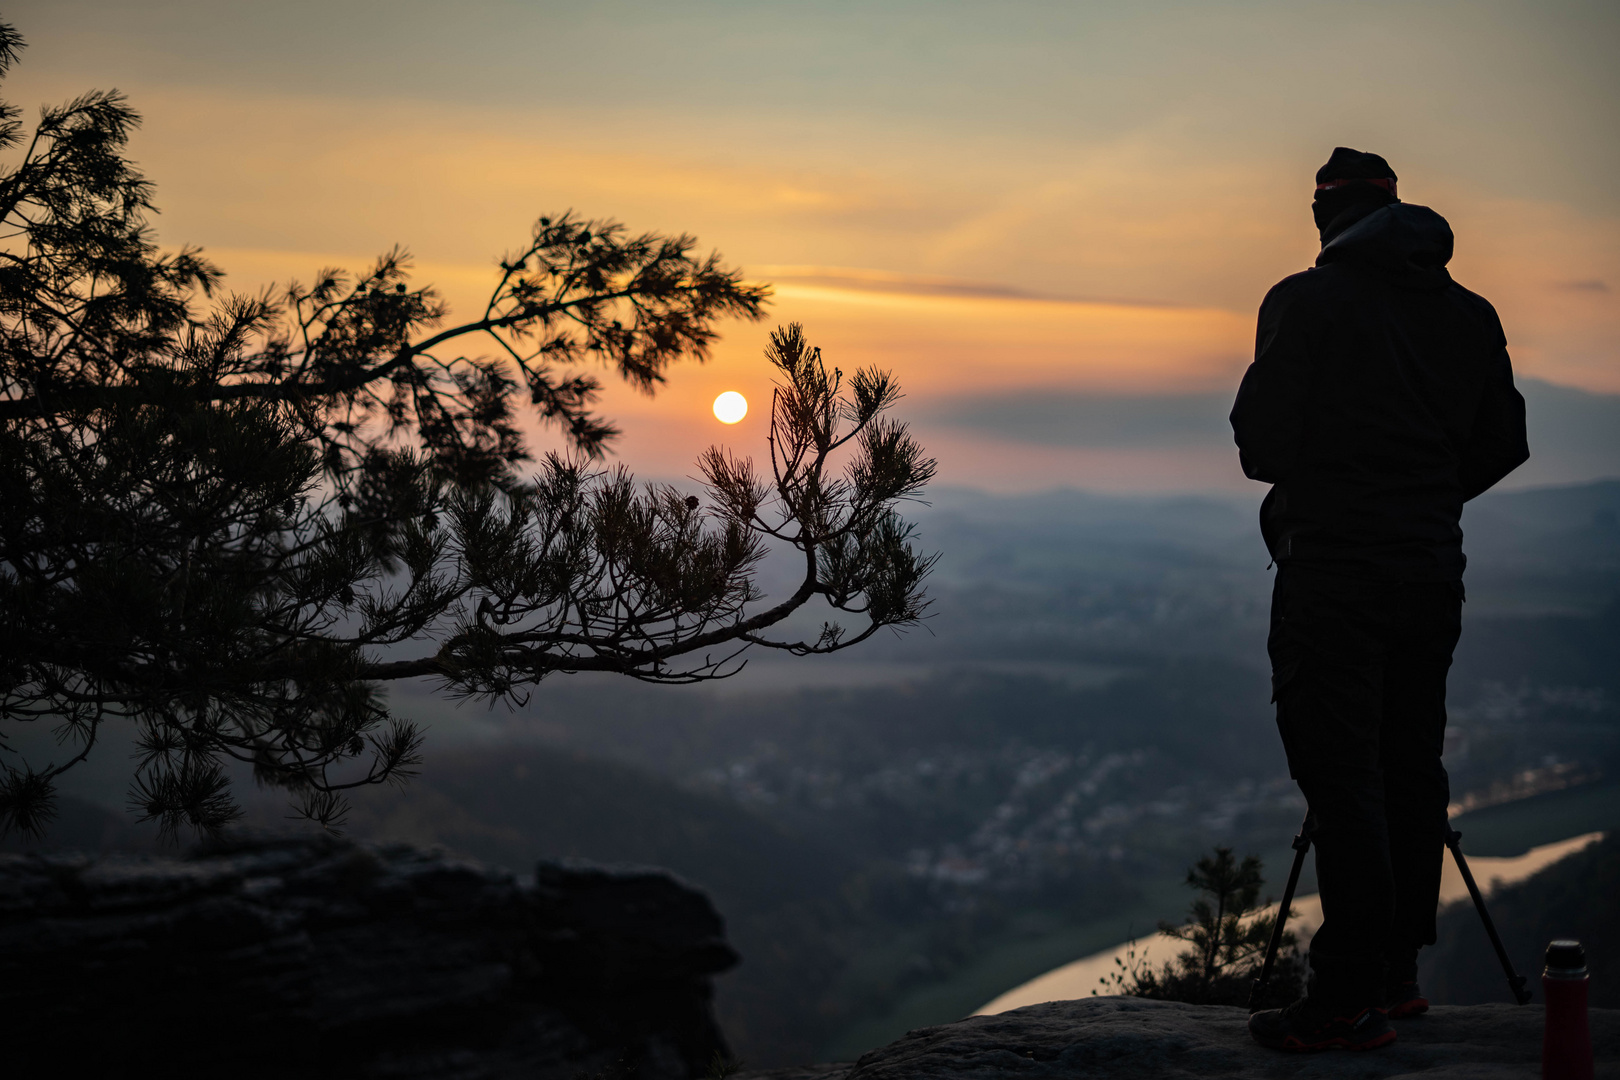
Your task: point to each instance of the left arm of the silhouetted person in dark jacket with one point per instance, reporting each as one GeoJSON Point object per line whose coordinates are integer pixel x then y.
{"type": "Point", "coordinates": [1268, 419]}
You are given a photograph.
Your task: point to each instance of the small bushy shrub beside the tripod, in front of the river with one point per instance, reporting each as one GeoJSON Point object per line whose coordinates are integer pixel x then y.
{"type": "Point", "coordinates": [1227, 932]}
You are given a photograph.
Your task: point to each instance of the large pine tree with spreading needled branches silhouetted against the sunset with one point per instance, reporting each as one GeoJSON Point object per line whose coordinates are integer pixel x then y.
{"type": "Point", "coordinates": [231, 521]}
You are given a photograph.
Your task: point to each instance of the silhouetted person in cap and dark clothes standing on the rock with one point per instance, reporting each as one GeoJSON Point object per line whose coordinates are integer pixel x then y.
{"type": "Point", "coordinates": [1379, 402]}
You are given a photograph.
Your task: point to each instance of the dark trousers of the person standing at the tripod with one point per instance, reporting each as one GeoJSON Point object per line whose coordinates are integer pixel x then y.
{"type": "Point", "coordinates": [1358, 674]}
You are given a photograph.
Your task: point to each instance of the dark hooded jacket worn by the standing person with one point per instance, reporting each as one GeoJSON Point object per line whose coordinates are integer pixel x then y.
{"type": "Point", "coordinates": [1381, 399]}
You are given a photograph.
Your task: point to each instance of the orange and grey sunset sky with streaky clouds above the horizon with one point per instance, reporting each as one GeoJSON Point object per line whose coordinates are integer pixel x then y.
{"type": "Point", "coordinates": [1013, 206]}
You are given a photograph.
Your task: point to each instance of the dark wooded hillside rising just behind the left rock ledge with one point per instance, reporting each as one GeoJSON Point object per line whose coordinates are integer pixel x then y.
{"type": "Point", "coordinates": [795, 909]}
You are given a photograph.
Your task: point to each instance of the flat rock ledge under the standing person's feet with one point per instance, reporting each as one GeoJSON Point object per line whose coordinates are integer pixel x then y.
{"type": "Point", "coordinates": [1130, 1037]}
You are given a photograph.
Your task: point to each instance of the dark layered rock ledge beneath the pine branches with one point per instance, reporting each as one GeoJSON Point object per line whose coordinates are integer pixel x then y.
{"type": "Point", "coordinates": [322, 958]}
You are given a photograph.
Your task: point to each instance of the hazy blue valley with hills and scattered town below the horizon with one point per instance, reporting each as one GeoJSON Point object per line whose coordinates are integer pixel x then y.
{"type": "Point", "coordinates": [1086, 713]}
